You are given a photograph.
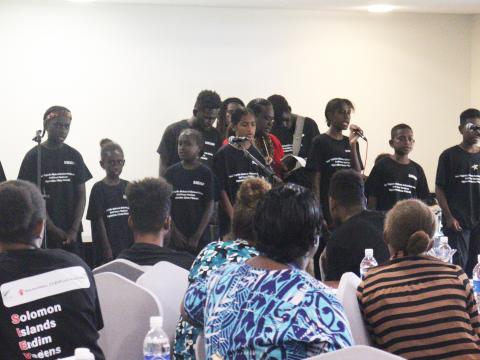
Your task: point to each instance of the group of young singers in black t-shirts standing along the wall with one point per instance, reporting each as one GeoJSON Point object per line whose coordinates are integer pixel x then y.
{"type": "Point", "coordinates": [206, 166]}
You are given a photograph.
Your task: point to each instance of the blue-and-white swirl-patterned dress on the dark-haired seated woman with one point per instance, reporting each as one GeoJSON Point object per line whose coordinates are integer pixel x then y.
{"type": "Point", "coordinates": [251, 313]}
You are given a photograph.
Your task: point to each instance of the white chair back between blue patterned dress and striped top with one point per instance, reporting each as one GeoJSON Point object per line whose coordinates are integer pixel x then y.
{"type": "Point", "coordinates": [347, 294]}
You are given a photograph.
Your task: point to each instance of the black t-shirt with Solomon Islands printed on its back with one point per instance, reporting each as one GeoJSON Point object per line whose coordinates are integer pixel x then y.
{"type": "Point", "coordinates": [49, 305]}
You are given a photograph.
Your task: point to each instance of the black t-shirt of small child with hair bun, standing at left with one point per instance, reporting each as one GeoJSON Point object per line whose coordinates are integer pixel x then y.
{"type": "Point", "coordinates": [109, 202]}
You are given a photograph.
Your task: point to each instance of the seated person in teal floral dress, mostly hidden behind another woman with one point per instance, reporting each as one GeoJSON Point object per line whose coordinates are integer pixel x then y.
{"type": "Point", "coordinates": [236, 250]}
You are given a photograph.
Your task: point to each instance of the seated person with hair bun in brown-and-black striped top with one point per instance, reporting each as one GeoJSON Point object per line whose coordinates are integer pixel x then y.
{"type": "Point", "coordinates": [417, 306]}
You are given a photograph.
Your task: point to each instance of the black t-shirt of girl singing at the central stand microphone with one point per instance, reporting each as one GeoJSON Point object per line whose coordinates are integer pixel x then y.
{"type": "Point", "coordinates": [231, 167]}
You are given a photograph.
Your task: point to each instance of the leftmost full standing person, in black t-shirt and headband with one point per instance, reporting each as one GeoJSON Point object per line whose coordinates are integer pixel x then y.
{"type": "Point", "coordinates": [63, 180]}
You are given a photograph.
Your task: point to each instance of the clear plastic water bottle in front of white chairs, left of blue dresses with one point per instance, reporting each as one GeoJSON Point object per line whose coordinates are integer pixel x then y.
{"type": "Point", "coordinates": [156, 345]}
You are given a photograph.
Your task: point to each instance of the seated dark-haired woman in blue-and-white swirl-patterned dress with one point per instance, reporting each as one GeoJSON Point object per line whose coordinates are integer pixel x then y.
{"type": "Point", "coordinates": [269, 307]}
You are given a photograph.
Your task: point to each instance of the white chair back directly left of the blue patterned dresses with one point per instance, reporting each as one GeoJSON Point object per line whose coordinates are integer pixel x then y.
{"type": "Point", "coordinates": [169, 283]}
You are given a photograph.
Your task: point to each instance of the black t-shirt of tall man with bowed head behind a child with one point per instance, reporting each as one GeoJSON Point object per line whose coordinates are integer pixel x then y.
{"type": "Point", "coordinates": [168, 144]}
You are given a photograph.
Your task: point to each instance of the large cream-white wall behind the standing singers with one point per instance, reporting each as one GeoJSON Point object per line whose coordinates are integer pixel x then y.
{"type": "Point", "coordinates": [126, 72]}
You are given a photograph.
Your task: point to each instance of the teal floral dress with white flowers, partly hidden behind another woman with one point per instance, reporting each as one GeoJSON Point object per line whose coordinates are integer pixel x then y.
{"type": "Point", "coordinates": [213, 256]}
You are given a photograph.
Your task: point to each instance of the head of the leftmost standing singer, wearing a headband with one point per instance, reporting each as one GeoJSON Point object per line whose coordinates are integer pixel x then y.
{"type": "Point", "coordinates": [56, 122]}
